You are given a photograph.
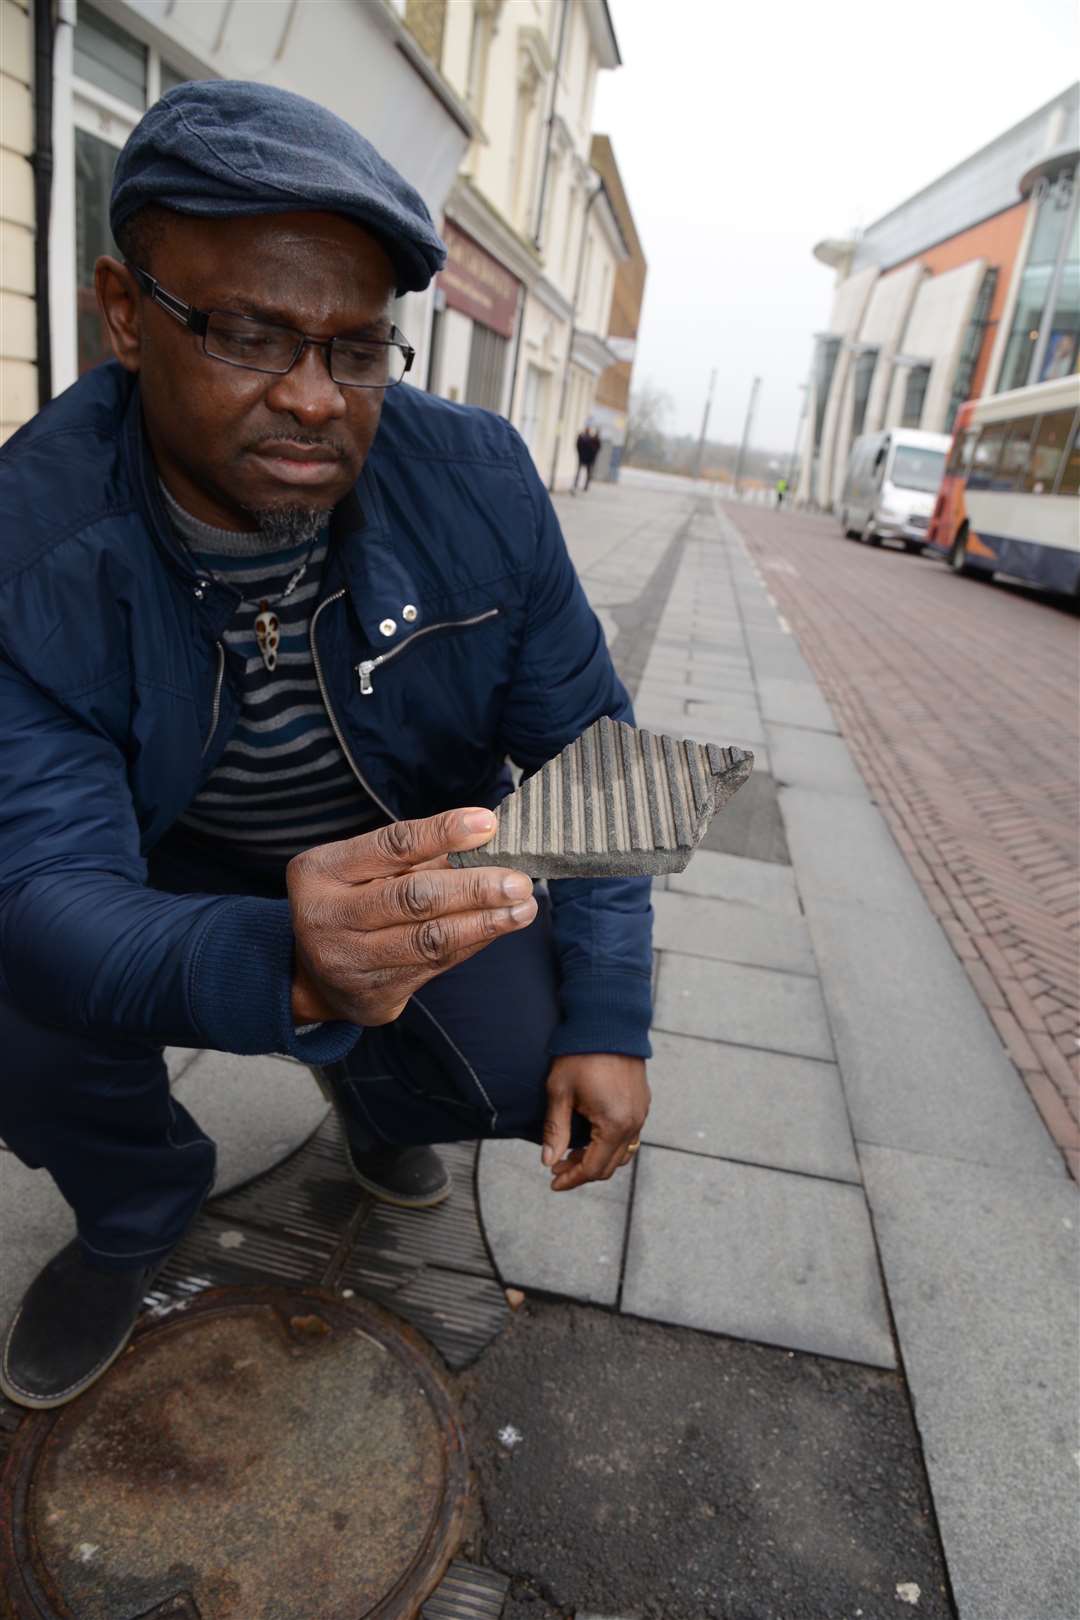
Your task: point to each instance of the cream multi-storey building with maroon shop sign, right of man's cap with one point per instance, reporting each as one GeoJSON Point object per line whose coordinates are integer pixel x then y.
{"type": "Point", "coordinates": [535, 241]}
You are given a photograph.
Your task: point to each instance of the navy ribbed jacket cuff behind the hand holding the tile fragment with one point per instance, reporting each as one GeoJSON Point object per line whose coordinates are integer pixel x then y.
{"type": "Point", "coordinates": [242, 987]}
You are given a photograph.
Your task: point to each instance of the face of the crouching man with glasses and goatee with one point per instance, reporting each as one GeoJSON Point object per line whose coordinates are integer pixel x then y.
{"type": "Point", "coordinates": [231, 443]}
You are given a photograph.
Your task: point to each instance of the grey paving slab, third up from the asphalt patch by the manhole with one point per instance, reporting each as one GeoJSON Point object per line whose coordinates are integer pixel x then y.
{"type": "Point", "coordinates": [749, 1007]}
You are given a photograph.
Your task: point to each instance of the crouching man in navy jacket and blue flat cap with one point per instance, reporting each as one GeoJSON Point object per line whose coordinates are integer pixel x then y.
{"type": "Point", "coordinates": [270, 631]}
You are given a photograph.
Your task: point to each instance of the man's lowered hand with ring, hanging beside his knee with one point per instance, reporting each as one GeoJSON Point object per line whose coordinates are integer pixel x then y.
{"type": "Point", "coordinates": [614, 1096]}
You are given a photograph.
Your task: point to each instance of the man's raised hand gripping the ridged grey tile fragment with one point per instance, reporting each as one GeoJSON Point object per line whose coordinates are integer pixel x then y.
{"type": "Point", "coordinates": [376, 918]}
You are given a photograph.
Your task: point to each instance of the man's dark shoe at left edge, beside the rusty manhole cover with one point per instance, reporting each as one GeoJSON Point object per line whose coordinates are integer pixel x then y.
{"type": "Point", "coordinates": [72, 1326]}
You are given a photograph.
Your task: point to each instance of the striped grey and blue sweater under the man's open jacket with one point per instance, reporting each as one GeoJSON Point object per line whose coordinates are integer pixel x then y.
{"type": "Point", "coordinates": [283, 782]}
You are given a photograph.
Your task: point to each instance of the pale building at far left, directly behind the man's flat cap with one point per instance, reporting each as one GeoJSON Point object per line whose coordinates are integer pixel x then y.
{"type": "Point", "coordinates": [74, 90]}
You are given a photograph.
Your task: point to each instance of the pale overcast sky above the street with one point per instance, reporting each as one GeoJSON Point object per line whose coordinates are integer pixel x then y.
{"type": "Point", "coordinates": [747, 130]}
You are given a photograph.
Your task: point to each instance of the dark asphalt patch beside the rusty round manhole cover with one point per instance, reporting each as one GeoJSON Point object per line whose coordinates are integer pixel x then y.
{"type": "Point", "coordinates": [657, 1473]}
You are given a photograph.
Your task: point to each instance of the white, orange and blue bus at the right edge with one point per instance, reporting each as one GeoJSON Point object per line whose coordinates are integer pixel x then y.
{"type": "Point", "coordinates": [1008, 500]}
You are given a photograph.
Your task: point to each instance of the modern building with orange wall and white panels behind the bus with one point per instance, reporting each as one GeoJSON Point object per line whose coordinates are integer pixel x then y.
{"type": "Point", "coordinates": [969, 288]}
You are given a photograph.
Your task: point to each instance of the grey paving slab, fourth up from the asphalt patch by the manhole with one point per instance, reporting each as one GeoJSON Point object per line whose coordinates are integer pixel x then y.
{"type": "Point", "coordinates": [731, 932]}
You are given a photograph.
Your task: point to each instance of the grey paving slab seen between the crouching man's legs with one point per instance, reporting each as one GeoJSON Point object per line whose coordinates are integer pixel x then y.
{"type": "Point", "coordinates": [258, 1111]}
